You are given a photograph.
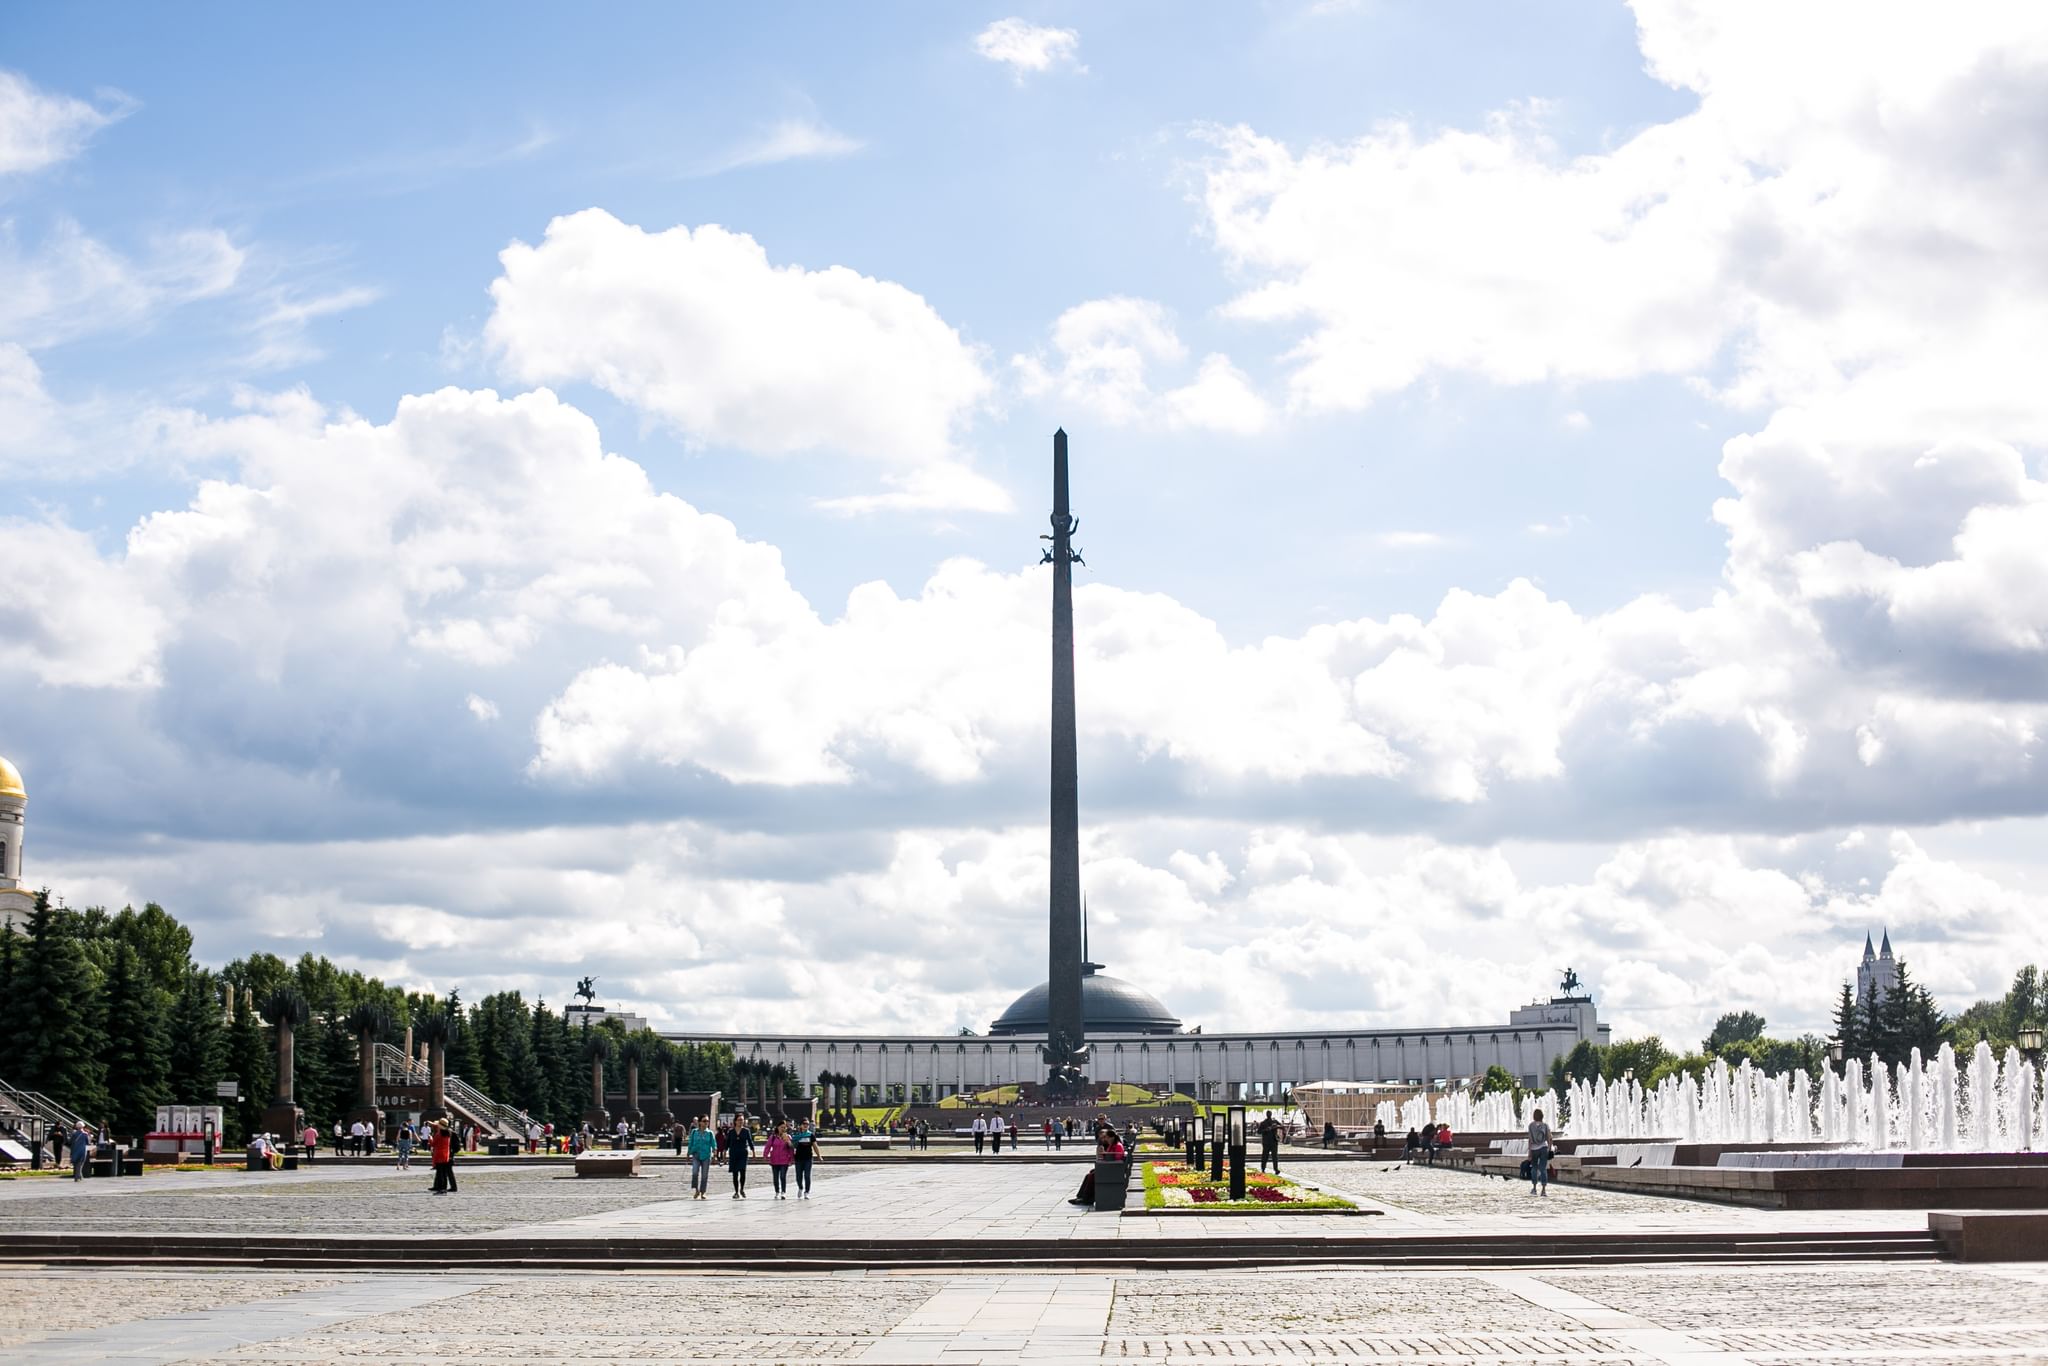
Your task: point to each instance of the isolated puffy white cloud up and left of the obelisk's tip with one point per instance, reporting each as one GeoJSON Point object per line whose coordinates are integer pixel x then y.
{"type": "Point", "coordinates": [699, 329]}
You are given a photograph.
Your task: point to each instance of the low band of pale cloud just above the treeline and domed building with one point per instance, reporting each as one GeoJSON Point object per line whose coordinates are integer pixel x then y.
{"type": "Point", "coordinates": [929, 927]}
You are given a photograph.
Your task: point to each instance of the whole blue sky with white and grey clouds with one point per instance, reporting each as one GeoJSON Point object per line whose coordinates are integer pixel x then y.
{"type": "Point", "coordinates": [527, 497]}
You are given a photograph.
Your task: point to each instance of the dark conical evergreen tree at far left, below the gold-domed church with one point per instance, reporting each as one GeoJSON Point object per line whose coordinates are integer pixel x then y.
{"type": "Point", "coordinates": [60, 1052]}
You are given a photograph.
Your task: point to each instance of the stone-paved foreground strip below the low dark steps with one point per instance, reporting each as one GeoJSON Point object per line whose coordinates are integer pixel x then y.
{"type": "Point", "coordinates": [1707, 1318]}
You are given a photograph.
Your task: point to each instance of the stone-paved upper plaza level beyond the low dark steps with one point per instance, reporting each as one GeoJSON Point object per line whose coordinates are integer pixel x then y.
{"type": "Point", "coordinates": [984, 1201]}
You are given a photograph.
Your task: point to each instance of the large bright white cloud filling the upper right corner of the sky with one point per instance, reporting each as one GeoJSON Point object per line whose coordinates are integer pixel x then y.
{"type": "Point", "coordinates": [1830, 206]}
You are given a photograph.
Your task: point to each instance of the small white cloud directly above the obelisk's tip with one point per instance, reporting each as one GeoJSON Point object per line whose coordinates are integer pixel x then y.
{"type": "Point", "coordinates": [1105, 355]}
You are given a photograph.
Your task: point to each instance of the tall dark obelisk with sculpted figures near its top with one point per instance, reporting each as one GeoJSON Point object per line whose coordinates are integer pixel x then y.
{"type": "Point", "coordinates": [1066, 1045]}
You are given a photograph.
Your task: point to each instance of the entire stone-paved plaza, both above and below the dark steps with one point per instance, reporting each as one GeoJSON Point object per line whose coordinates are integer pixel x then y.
{"type": "Point", "coordinates": [728, 1312]}
